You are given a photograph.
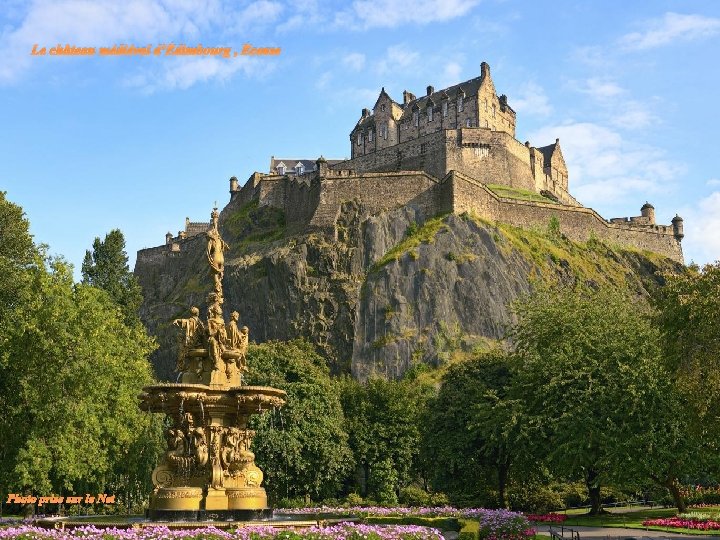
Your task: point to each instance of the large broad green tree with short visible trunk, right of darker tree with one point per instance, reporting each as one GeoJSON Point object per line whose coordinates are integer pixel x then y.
{"type": "Point", "coordinates": [591, 382]}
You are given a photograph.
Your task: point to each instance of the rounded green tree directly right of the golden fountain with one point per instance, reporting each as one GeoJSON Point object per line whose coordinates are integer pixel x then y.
{"type": "Point", "coordinates": [303, 447]}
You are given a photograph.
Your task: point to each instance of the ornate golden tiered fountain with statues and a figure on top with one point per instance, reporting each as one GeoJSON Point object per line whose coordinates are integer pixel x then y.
{"type": "Point", "coordinates": [208, 469]}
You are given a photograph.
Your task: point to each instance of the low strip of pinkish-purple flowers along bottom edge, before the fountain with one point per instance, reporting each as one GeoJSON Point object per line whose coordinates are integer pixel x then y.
{"type": "Point", "coordinates": [343, 531]}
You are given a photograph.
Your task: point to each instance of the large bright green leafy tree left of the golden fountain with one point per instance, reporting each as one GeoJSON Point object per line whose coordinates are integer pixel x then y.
{"type": "Point", "coordinates": [70, 385]}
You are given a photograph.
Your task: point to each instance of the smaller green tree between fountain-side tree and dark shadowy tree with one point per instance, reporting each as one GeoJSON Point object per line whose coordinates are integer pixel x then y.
{"type": "Point", "coordinates": [383, 421]}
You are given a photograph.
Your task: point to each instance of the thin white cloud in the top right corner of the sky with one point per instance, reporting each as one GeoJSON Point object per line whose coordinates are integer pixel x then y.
{"type": "Point", "coordinates": [671, 28]}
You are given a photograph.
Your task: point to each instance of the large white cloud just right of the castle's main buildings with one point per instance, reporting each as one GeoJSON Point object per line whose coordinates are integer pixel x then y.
{"type": "Point", "coordinates": [604, 167]}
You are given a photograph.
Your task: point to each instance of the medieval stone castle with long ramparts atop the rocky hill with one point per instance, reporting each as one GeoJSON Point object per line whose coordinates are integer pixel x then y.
{"type": "Point", "coordinates": [451, 150]}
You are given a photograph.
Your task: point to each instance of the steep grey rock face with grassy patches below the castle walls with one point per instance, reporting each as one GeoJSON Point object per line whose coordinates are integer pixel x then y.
{"type": "Point", "coordinates": [386, 293]}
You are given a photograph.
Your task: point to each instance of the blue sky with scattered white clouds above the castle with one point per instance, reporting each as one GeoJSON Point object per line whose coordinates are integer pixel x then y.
{"type": "Point", "coordinates": [90, 143]}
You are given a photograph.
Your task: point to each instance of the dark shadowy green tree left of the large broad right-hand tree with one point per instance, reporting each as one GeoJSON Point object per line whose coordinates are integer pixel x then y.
{"type": "Point", "coordinates": [472, 433]}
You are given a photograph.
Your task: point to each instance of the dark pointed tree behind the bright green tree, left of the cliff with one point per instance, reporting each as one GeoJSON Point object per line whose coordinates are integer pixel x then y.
{"type": "Point", "coordinates": [106, 267]}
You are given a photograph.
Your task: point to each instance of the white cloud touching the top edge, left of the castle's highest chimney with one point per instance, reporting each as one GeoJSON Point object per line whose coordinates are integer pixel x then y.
{"type": "Point", "coordinates": [393, 13]}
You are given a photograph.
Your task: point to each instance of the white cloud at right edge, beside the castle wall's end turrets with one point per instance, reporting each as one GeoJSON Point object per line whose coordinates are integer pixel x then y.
{"type": "Point", "coordinates": [701, 224]}
